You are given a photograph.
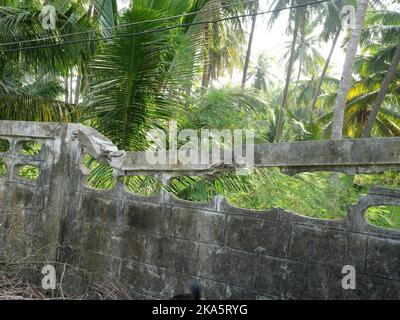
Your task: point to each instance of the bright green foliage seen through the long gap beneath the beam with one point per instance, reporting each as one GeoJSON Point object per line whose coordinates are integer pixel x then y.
{"type": "Point", "coordinates": [318, 195]}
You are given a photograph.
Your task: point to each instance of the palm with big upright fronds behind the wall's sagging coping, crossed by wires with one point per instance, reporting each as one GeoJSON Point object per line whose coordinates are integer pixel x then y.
{"type": "Point", "coordinates": [137, 79]}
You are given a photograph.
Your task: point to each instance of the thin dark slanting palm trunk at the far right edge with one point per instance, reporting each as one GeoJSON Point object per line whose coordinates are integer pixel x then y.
{"type": "Point", "coordinates": [382, 93]}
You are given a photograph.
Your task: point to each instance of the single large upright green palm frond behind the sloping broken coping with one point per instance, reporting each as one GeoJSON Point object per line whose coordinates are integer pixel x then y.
{"type": "Point", "coordinates": [130, 92]}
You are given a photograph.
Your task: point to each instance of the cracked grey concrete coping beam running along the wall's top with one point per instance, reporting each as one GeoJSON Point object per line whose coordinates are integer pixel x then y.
{"type": "Point", "coordinates": [349, 156]}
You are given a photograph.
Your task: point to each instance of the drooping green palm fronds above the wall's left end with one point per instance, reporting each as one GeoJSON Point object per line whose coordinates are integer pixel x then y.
{"type": "Point", "coordinates": [22, 66]}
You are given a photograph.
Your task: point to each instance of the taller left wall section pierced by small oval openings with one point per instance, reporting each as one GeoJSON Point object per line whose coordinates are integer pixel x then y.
{"type": "Point", "coordinates": [31, 210]}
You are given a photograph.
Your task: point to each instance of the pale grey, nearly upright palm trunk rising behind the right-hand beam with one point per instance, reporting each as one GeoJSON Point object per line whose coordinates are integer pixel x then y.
{"type": "Point", "coordinates": [345, 83]}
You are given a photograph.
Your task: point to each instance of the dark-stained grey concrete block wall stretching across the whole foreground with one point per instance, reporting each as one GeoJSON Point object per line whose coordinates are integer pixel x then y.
{"type": "Point", "coordinates": [156, 245]}
